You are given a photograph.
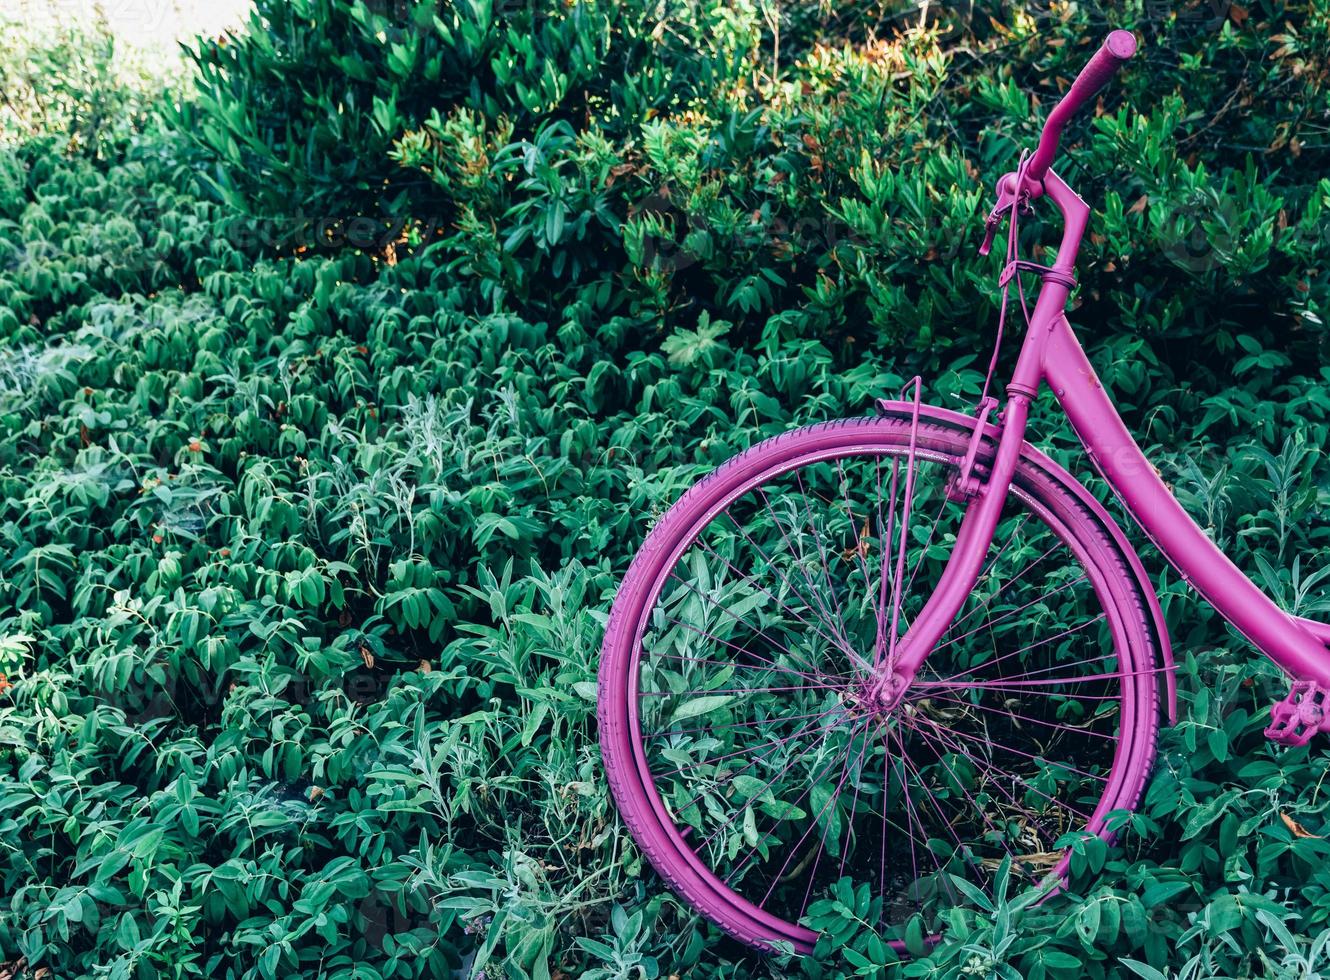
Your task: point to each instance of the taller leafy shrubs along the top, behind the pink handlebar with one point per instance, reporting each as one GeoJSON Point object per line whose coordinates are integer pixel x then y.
{"type": "Point", "coordinates": [820, 203]}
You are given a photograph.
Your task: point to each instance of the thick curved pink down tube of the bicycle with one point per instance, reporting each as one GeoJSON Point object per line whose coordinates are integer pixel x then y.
{"type": "Point", "coordinates": [1152, 505]}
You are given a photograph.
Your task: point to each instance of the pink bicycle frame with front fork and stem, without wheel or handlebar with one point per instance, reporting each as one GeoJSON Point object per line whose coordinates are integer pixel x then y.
{"type": "Point", "coordinates": [1051, 354]}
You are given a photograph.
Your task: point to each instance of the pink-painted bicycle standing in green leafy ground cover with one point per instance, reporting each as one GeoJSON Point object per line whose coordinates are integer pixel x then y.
{"type": "Point", "coordinates": [905, 650]}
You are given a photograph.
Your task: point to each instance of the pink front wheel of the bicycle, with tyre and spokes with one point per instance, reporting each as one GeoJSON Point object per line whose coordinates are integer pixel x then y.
{"type": "Point", "coordinates": [740, 733]}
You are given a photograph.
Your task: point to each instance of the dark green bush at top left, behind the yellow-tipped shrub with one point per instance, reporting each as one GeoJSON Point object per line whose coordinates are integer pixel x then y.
{"type": "Point", "coordinates": [372, 71]}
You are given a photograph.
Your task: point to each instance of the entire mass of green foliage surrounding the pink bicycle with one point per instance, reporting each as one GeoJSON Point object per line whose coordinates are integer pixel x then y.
{"type": "Point", "coordinates": [309, 529]}
